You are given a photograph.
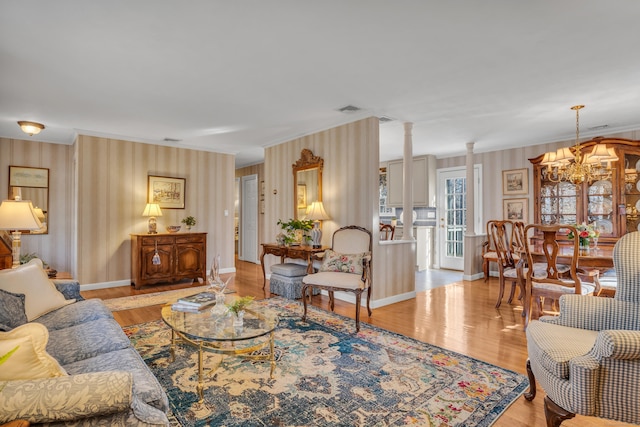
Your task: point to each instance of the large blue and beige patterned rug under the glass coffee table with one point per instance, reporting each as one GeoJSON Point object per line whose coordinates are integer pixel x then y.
{"type": "Point", "coordinates": [327, 375]}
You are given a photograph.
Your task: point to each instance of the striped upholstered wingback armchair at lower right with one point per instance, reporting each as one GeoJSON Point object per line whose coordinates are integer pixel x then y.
{"type": "Point", "coordinates": [587, 359]}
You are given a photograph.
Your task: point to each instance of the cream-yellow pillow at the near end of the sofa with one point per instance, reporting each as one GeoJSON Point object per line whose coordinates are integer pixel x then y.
{"type": "Point", "coordinates": [30, 360]}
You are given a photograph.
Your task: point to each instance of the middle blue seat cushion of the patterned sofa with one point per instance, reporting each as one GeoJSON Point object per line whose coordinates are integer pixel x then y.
{"type": "Point", "coordinates": [86, 340]}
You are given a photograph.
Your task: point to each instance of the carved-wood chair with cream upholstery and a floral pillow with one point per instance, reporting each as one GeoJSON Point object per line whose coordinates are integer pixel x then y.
{"type": "Point", "coordinates": [345, 267]}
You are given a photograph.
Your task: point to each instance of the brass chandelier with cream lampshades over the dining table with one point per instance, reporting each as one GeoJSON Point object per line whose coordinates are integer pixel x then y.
{"type": "Point", "coordinates": [571, 165]}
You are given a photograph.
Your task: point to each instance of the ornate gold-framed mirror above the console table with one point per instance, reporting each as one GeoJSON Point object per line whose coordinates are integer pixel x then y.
{"type": "Point", "coordinates": [307, 182]}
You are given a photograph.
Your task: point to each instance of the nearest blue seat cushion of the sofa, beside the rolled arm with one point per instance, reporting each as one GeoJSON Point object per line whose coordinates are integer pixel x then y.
{"type": "Point", "coordinates": [145, 386]}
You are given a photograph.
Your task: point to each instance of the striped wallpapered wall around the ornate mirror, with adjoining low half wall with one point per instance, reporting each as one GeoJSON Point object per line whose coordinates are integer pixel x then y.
{"type": "Point", "coordinates": [349, 194]}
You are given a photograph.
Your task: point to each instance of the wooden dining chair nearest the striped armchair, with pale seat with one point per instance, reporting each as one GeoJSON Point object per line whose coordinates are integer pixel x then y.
{"type": "Point", "coordinates": [557, 278]}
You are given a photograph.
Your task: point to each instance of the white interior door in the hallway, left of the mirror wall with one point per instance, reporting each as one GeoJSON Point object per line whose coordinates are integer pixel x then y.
{"type": "Point", "coordinates": [249, 215]}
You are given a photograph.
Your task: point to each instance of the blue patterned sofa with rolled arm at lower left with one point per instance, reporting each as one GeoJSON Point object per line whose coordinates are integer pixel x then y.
{"type": "Point", "coordinates": [106, 381]}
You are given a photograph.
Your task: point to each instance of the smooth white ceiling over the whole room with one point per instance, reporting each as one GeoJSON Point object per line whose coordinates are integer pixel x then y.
{"type": "Point", "coordinates": [238, 76]}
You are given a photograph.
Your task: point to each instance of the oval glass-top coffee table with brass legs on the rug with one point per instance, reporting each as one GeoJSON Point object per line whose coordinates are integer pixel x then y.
{"type": "Point", "coordinates": [216, 333]}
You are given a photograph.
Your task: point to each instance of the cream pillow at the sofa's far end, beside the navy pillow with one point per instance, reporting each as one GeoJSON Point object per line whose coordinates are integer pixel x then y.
{"type": "Point", "coordinates": [41, 296]}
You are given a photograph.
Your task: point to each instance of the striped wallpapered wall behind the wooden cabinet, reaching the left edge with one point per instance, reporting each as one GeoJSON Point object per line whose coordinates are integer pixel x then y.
{"type": "Point", "coordinates": [103, 184]}
